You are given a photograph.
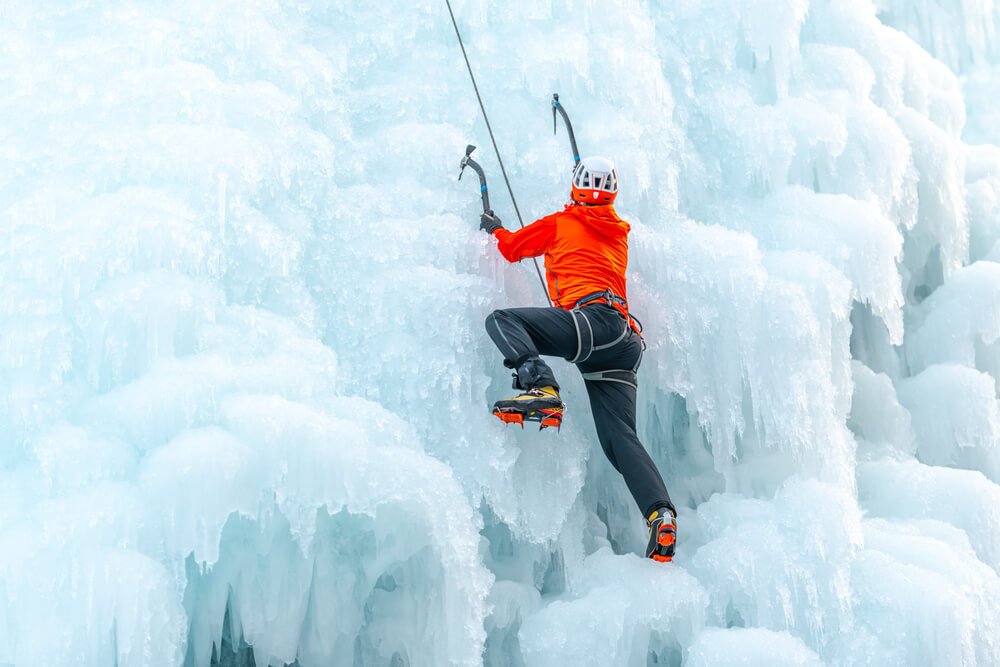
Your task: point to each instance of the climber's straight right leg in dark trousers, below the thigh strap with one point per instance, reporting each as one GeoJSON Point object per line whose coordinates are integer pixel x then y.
{"type": "Point", "coordinates": [613, 405]}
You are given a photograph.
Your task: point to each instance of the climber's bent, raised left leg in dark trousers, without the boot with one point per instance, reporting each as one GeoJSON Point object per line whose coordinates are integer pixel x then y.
{"type": "Point", "coordinates": [523, 334]}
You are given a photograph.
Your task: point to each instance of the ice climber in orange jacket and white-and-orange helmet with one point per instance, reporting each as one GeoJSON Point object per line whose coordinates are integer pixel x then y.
{"type": "Point", "coordinates": [586, 251]}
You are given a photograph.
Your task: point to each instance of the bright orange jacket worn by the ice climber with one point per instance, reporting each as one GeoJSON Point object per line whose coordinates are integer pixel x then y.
{"type": "Point", "coordinates": [585, 248]}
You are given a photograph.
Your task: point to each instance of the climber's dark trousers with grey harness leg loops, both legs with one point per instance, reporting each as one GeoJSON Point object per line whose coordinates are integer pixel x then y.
{"type": "Point", "coordinates": [523, 334]}
